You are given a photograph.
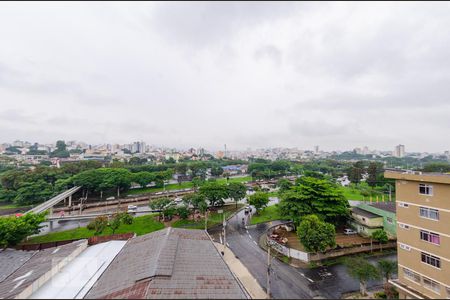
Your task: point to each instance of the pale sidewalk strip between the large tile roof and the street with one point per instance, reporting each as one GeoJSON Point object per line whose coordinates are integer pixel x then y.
{"type": "Point", "coordinates": [241, 272]}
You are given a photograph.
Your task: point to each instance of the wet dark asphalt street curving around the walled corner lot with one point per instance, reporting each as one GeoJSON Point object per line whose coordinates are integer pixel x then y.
{"type": "Point", "coordinates": [287, 281]}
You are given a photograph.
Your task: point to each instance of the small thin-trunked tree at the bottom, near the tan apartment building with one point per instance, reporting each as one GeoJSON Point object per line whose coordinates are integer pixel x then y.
{"type": "Point", "coordinates": [362, 270]}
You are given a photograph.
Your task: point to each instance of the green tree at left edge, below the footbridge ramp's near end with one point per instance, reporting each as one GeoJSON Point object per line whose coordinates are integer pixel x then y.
{"type": "Point", "coordinates": [14, 230]}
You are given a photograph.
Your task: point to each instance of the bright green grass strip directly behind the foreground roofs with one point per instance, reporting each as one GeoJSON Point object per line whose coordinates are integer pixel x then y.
{"type": "Point", "coordinates": [141, 225]}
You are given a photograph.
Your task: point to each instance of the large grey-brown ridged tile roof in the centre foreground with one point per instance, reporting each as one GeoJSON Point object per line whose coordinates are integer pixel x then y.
{"type": "Point", "coordinates": [170, 263]}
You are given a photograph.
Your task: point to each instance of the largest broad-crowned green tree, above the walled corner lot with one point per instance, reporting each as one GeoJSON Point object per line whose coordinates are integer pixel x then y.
{"type": "Point", "coordinates": [314, 196]}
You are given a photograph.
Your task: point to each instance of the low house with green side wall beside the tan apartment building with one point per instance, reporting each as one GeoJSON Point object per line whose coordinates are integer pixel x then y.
{"type": "Point", "coordinates": [369, 217]}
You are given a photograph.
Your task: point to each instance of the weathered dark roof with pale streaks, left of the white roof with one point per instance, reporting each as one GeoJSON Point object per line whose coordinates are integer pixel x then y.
{"type": "Point", "coordinates": [35, 267]}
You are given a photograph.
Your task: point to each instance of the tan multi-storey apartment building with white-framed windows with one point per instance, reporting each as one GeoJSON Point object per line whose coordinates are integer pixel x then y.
{"type": "Point", "coordinates": [423, 234]}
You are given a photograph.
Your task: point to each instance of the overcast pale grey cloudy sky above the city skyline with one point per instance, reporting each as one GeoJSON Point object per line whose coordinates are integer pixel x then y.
{"type": "Point", "coordinates": [338, 75]}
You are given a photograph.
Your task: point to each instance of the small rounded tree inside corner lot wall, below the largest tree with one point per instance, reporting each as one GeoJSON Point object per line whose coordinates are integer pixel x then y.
{"type": "Point", "coordinates": [316, 235]}
